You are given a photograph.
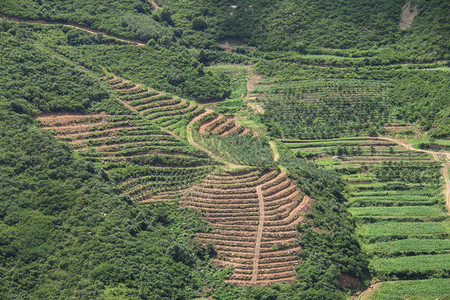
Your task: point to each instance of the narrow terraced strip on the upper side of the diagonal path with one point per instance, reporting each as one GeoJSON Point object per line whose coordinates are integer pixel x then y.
{"type": "Point", "coordinates": [170, 112]}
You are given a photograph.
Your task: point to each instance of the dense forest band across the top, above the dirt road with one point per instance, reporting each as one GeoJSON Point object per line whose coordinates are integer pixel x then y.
{"type": "Point", "coordinates": [281, 25]}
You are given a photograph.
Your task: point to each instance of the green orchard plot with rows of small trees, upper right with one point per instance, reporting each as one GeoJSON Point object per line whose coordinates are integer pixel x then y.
{"type": "Point", "coordinates": [312, 102]}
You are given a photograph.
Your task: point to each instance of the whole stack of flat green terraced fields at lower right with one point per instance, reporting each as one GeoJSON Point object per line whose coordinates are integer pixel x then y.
{"type": "Point", "coordinates": [395, 196]}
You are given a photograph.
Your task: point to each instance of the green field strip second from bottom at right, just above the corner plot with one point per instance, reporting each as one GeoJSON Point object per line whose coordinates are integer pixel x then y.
{"type": "Point", "coordinates": [419, 264]}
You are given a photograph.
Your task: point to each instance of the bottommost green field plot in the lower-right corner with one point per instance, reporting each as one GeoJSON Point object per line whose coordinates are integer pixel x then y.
{"type": "Point", "coordinates": [428, 289]}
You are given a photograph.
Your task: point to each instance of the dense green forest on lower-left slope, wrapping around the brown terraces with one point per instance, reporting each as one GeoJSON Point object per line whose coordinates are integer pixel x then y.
{"type": "Point", "coordinates": [65, 231]}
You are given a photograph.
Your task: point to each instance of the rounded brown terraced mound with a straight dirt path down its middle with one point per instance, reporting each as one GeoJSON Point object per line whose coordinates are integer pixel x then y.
{"type": "Point", "coordinates": [254, 215]}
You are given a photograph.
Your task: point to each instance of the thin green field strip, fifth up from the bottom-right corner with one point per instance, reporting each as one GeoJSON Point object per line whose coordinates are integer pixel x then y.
{"type": "Point", "coordinates": [404, 211]}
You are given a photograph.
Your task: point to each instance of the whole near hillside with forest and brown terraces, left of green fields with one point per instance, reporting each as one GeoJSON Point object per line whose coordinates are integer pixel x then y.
{"type": "Point", "coordinates": [85, 195]}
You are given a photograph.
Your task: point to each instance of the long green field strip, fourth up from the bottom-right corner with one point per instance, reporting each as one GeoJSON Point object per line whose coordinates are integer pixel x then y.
{"type": "Point", "coordinates": [404, 229]}
